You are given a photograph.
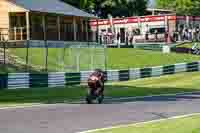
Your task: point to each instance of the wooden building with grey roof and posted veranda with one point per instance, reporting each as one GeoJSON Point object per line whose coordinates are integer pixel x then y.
{"type": "Point", "coordinates": [37, 21]}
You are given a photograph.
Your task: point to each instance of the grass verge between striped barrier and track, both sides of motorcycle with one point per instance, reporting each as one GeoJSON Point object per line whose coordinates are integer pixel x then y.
{"type": "Point", "coordinates": [185, 82]}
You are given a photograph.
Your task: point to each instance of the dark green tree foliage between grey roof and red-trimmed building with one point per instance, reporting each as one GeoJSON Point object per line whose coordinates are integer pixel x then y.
{"type": "Point", "coordinates": [114, 7]}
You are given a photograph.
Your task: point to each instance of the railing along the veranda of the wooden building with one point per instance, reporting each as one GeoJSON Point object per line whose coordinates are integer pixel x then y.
{"type": "Point", "coordinates": [20, 34]}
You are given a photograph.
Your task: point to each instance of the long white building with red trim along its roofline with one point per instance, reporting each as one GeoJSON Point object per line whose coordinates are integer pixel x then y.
{"type": "Point", "coordinates": [154, 28]}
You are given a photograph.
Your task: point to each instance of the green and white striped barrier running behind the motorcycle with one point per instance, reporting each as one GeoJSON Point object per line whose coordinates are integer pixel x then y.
{"type": "Point", "coordinates": [59, 79]}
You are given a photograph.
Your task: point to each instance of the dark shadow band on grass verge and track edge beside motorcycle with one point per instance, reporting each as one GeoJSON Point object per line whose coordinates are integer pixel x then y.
{"type": "Point", "coordinates": [75, 94]}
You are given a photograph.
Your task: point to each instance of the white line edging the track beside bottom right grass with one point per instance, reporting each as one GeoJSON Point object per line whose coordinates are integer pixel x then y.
{"type": "Point", "coordinates": [140, 123]}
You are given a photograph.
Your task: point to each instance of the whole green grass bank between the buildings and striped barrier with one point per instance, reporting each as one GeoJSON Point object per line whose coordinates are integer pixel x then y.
{"type": "Point", "coordinates": [116, 58]}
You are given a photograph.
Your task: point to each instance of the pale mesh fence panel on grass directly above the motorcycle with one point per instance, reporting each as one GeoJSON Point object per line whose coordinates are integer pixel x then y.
{"type": "Point", "coordinates": [83, 59]}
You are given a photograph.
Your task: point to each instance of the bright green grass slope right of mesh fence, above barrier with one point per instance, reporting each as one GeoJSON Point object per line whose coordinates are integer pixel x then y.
{"type": "Point", "coordinates": [131, 58]}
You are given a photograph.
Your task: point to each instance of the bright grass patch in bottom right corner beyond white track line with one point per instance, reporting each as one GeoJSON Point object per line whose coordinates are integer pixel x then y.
{"type": "Point", "coordinates": [181, 125]}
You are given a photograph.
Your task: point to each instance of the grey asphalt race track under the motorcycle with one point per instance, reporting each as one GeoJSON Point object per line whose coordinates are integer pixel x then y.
{"type": "Point", "coordinates": [72, 118]}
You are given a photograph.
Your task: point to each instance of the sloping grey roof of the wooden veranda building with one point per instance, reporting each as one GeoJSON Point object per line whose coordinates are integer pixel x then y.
{"type": "Point", "coordinates": [51, 6]}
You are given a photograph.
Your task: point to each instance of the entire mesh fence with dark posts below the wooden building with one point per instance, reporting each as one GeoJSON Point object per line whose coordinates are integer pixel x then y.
{"type": "Point", "coordinates": [55, 59]}
